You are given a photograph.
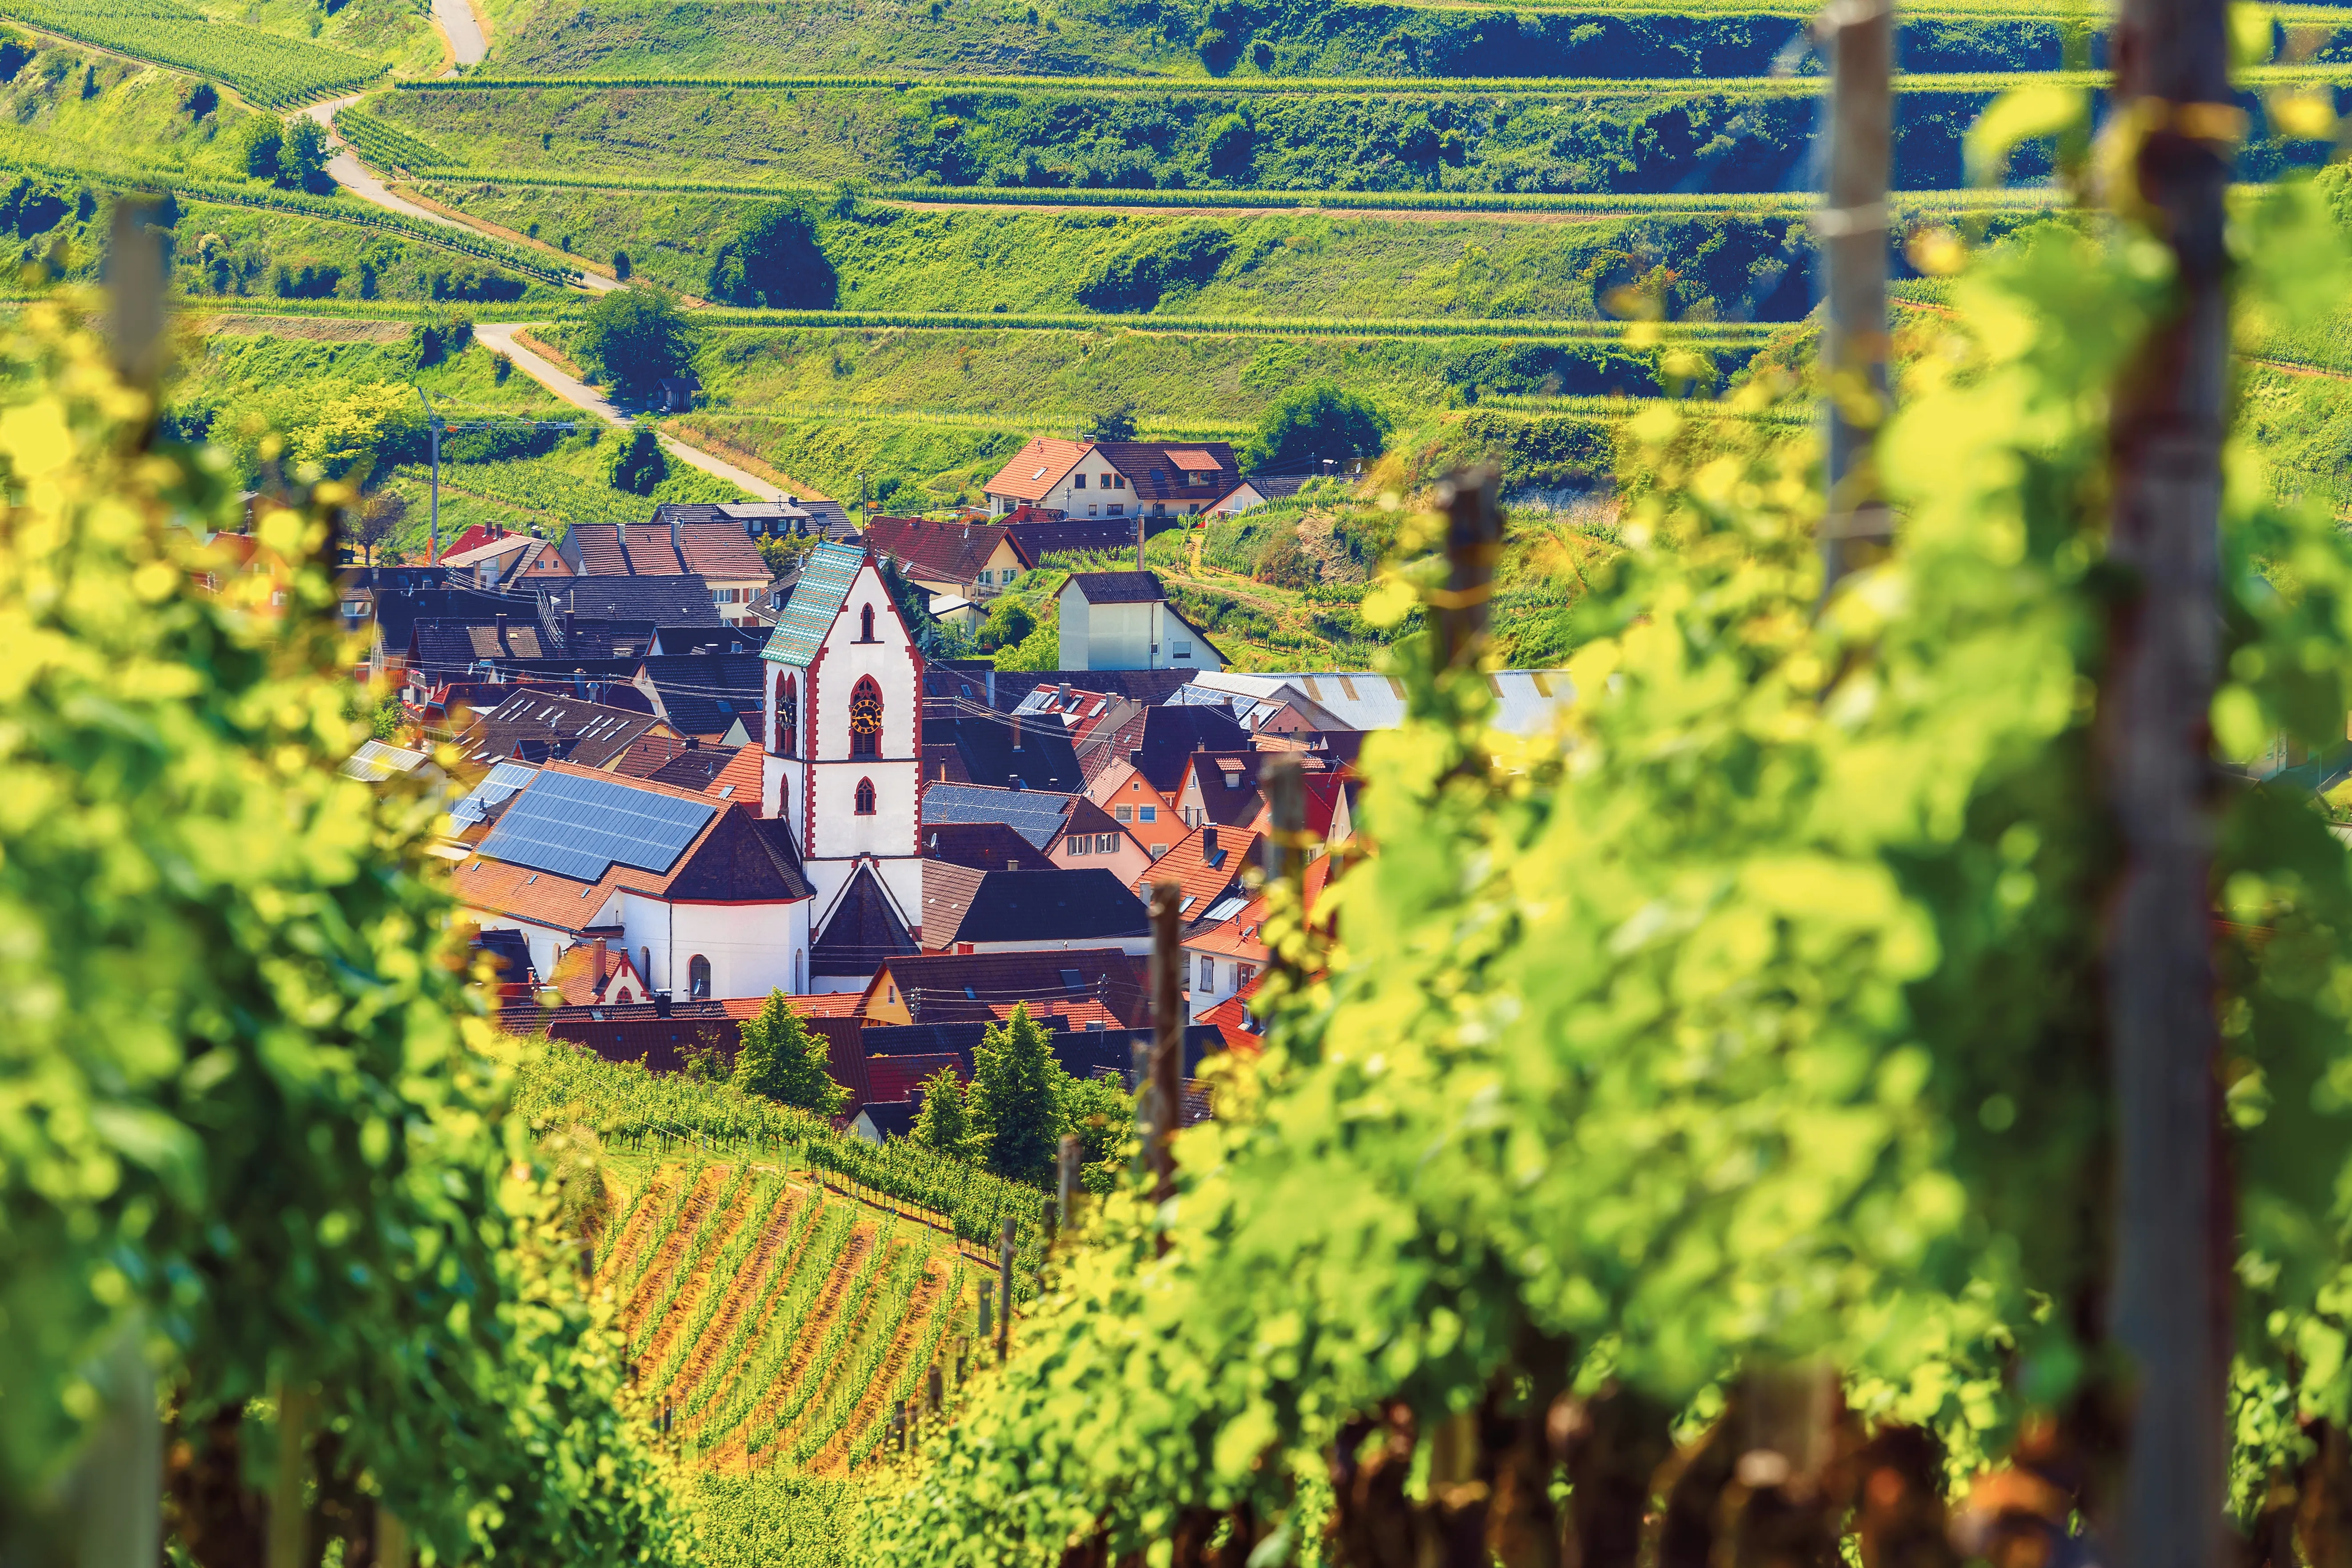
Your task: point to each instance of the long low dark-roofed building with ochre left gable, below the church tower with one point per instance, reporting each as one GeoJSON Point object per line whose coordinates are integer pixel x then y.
{"type": "Point", "coordinates": [1085, 986]}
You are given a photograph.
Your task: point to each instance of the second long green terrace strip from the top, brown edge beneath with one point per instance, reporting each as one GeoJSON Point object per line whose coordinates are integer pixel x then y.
{"type": "Point", "coordinates": [1648, 203]}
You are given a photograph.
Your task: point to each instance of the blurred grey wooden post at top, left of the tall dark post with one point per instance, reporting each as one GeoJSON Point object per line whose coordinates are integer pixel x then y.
{"type": "Point", "coordinates": [1852, 232]}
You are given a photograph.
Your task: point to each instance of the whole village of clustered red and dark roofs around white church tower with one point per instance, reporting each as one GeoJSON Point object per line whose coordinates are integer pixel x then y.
{"type": "Point", "coordinates": [690, 782]}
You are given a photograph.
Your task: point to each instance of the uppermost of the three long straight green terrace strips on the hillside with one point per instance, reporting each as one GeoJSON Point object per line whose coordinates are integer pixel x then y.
{"type": "Point", "coordinates": [1342, 86]}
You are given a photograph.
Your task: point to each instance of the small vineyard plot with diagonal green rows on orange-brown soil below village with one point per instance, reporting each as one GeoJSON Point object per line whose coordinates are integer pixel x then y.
{"type": "Point", "coordinates": [775, 1325]}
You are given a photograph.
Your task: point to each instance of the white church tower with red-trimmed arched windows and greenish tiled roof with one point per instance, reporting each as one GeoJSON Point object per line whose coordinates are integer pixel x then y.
{"type": "Point", "coordinates": [843, 749]}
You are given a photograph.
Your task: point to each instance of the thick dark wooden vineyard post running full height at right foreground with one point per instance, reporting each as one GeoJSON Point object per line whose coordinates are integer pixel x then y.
{"type": "Point", "coordinates": [2174, 1217]}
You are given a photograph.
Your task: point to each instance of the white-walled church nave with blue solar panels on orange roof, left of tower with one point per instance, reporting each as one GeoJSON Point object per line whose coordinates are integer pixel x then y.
{"type": "Point", "coordinates": [707, 897]}
